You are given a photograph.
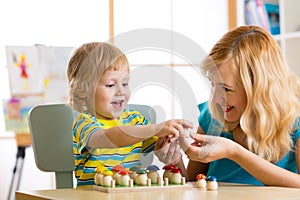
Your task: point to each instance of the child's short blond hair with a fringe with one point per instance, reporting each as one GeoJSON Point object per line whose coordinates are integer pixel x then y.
{"type": "Point", "coordinates": [85, 68]}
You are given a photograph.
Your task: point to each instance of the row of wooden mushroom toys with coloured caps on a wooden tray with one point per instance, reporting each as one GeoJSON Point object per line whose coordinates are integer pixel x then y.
{"type": "Point", "coordinates": [137, 176]}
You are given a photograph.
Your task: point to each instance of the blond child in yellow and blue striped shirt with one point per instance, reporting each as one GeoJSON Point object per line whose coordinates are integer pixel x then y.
{"type": "Point", "coordinates": [105, 133]}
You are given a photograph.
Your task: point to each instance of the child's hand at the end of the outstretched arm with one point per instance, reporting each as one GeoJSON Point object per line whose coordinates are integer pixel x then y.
{"type": "Point", "coordinates": [172, 128]}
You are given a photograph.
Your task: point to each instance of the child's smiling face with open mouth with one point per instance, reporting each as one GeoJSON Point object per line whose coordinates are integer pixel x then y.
{"type": "Point", "coordinates": [112, 94]}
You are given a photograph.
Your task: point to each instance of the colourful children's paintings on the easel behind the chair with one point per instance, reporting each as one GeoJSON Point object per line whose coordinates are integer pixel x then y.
{"type": "Point", "coordinates": [37, 75]}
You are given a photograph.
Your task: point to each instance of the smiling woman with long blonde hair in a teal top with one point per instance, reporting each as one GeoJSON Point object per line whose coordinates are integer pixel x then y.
{"type": "Point", "coordinates": [249, 131]}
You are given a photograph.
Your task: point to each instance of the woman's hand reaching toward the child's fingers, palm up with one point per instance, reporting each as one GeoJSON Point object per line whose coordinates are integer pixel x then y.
{"type": "Point", "coordinates": [207, 148]}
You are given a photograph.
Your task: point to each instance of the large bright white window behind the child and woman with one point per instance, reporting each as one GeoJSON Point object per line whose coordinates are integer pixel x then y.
{"type": "Point", "coordinates": [73, 22]}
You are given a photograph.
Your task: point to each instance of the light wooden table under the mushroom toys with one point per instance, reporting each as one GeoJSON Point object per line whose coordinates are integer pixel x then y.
{"type": "Point", "coordinates": [225, 191]}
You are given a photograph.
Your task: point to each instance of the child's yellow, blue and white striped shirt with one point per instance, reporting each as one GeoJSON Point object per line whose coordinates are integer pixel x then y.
{"type": "Point", "coordinates": [86, 161]}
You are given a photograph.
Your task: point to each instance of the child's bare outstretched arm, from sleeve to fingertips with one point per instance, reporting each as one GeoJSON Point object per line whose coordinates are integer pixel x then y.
{"type": "Point", "coordinates": [121, 136]}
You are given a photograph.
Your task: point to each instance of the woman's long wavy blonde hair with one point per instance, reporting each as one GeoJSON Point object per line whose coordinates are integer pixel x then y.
{"type": "Point", "coordinates": [272, 91]}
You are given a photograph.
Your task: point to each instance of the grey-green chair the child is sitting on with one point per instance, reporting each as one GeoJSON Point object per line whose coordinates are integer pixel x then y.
{"type": "Point", "coordinates": [51, 134]}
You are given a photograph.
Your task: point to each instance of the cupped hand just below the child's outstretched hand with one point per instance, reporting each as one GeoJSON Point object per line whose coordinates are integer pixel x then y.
{"type": "Point", "coordinates": [167, 152]}
